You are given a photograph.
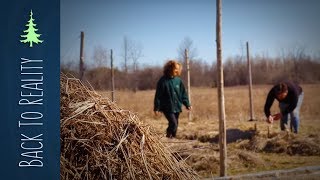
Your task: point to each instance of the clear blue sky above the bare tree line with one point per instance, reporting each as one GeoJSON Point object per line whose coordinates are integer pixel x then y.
{"type": "Point", "coordinates": [159, 26]}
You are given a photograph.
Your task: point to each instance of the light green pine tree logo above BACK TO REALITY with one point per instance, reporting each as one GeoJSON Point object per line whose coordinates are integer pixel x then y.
{"type": "Point", "coordinates": [31, 36]}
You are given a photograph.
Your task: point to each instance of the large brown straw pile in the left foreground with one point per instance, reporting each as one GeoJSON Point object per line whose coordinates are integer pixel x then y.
{"type": "Point", "coordinates": [101, 141]}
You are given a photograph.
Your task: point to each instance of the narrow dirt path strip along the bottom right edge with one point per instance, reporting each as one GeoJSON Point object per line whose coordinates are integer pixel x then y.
{"type": "Point", "coordinates": [305, 173]}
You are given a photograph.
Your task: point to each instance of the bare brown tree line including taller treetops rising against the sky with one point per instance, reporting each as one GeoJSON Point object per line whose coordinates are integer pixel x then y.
{"type": "Point", "coordinates": [294, 64]}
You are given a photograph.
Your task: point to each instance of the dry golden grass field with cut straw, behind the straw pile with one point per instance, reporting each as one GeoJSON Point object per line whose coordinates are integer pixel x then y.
{"type": "Point", "coordinates": [197, 139]}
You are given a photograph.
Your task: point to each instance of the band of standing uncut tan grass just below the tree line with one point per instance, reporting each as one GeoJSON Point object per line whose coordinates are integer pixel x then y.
{"type": "Point", "coordinates": [204, 101]}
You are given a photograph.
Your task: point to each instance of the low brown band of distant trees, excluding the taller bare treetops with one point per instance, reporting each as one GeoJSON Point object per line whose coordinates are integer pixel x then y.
{"type": "Point", "coordinates": [302, 69]}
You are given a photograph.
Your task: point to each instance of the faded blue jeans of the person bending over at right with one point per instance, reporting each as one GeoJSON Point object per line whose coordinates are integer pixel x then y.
{"type": "Point", "coordinates": [294, 115]}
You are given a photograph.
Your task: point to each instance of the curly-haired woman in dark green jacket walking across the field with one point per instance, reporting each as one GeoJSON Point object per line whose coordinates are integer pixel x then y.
{"type": "Point", "coordinates": [170, 95]}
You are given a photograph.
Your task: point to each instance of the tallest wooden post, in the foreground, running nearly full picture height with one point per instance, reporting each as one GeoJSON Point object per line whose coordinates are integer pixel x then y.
{"type": "Point", "coordinates": [222, 124]}
